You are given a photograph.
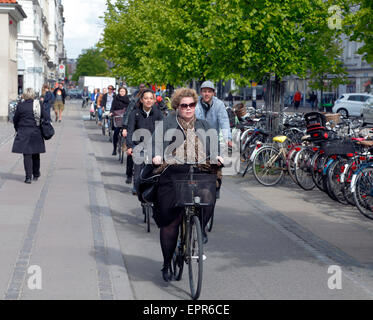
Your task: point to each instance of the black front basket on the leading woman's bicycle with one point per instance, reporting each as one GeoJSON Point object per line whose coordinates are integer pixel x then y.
{"type": "Point", "coordinates": [203, 186]}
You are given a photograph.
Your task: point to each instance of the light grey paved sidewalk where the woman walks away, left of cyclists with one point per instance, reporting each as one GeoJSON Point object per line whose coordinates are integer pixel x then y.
{"type": "Point", "coordinates": [59, 226]}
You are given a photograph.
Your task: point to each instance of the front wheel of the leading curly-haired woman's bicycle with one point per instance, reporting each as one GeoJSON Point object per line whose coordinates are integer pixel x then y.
{"type": "Point", "coordinates": [195, 258]}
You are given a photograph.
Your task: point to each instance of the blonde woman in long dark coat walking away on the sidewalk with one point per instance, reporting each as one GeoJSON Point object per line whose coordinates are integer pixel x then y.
{"type": "Point", "coordinates": [29, 140]}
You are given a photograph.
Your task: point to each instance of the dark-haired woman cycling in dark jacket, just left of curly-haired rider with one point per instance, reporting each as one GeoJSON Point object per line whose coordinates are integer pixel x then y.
{"type": "Point", "coordinates": [143, 117]}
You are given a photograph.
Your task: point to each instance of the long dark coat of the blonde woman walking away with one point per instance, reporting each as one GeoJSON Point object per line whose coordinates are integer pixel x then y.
{"type": "Point", "coordinates": [29, 139]}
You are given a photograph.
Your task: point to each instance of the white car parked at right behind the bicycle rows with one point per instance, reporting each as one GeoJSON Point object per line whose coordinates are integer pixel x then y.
{"type": "Point", "coordinates": [350, 104]}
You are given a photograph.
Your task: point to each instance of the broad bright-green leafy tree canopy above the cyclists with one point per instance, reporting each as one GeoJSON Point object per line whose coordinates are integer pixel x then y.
{"type": "Point", "coordinates": [175, 41]}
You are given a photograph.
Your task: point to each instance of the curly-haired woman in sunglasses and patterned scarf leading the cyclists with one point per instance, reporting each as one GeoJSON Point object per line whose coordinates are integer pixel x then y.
{"type": "Point", "coordinates": [187, 140]}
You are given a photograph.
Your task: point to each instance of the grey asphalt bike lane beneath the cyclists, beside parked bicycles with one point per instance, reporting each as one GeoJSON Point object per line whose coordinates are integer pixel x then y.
{"type": "Point", "coordinates": [254, 250]}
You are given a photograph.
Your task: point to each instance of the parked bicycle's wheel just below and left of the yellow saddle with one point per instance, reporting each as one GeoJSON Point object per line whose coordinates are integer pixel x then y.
{"type": "Point", "coordinates": [268, 166]}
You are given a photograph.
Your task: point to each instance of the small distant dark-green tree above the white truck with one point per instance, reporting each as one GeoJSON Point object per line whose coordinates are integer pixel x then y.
{"type": "Point", "coordinates": [90, 63]}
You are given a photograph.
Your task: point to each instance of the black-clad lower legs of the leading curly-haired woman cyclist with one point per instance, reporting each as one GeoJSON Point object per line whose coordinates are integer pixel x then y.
{"type": "Point", "coordinates": [170, 233]}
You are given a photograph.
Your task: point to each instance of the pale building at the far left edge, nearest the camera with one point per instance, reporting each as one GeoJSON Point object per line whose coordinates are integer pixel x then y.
{"type": "Point", "coordinates": [11, 14]}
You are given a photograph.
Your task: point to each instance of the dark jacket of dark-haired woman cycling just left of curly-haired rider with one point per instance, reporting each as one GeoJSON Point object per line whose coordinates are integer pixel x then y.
{"type": "Point", "coordinates": [138, 119]}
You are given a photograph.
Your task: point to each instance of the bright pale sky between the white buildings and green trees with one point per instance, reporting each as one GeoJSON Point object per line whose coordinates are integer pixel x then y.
{"type": "Point", "coordinates": [83, 27]}
